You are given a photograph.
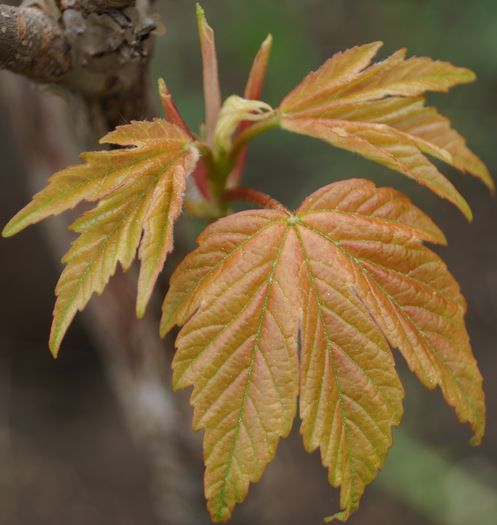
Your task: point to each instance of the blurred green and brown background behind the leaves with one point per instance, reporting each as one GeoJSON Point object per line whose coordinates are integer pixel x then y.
{"type": "Point", "coordinates": [66, 455]}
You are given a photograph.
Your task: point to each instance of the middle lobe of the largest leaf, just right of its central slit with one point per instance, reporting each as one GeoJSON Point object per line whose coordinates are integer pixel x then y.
{"type": "Point", "coordinates": [350, 394]}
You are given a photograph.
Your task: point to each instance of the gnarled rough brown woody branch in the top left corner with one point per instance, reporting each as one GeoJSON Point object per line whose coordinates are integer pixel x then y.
{"type": "Point", "coordinates": [90, 46]}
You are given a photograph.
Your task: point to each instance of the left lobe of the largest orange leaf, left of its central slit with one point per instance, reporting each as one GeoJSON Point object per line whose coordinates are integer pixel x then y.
{"type": "Point", "coordinates": [240, 351]}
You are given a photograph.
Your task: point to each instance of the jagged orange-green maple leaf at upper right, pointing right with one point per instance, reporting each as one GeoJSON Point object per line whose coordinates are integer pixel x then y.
{"type": "Point", "coordinates": [377, 111]}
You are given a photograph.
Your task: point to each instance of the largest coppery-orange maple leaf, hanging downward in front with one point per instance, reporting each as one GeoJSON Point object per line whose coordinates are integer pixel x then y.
{"type": "Point", "coordinates": [349, 269]}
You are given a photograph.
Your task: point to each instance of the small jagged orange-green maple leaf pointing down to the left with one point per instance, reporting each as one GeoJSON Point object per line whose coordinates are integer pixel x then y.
{"type": "Point", "coordinates": [140, 192]}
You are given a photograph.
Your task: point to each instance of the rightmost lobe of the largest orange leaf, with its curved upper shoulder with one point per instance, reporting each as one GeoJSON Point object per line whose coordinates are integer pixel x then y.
{"type": "Point", "coordinates": [409, 292]}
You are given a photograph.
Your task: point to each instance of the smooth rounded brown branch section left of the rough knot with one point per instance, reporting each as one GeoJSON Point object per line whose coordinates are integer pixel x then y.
{"type": "Point", "coordinates": [32, 44]}
